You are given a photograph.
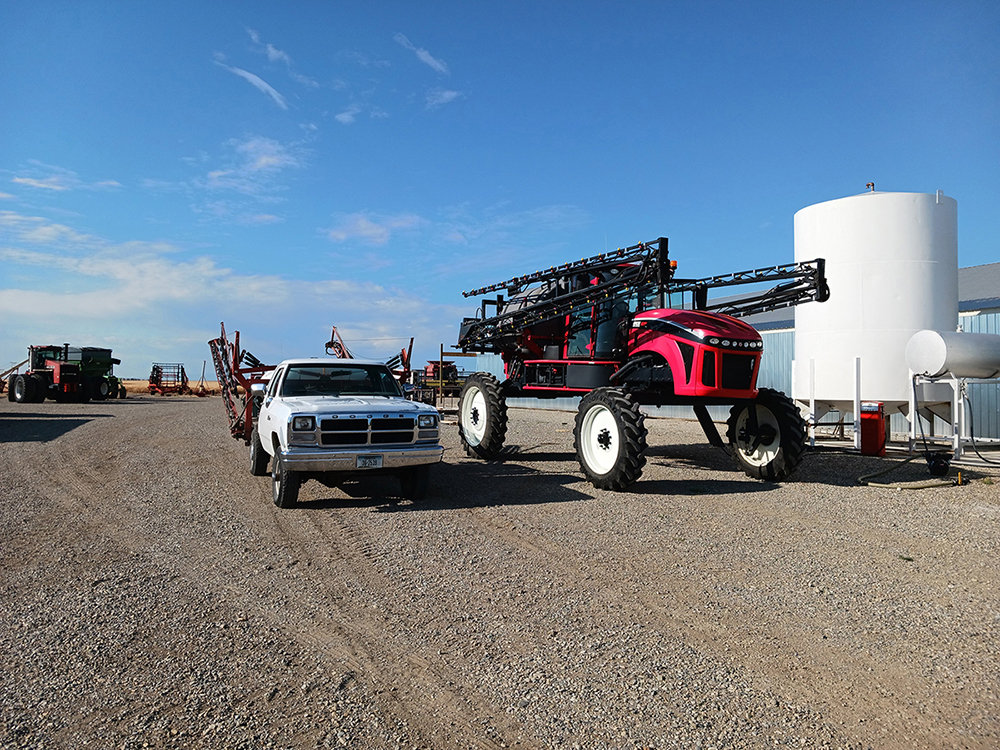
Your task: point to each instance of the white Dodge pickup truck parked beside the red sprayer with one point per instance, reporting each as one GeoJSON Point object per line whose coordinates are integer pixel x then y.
{"type": "Point", "coordinates": [333, 419]}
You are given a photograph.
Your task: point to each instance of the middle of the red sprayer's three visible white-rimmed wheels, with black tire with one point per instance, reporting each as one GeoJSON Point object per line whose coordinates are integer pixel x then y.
{"type": "Point", "coordinates": [610, 438]}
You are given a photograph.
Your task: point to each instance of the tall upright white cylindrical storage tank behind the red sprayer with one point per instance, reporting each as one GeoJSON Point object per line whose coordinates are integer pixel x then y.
{"type": "Point", "coordinates": [892, 266]}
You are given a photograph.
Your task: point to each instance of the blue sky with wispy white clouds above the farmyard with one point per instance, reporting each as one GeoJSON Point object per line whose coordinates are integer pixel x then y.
{"type": "Point", "coordinates": [285, 167]}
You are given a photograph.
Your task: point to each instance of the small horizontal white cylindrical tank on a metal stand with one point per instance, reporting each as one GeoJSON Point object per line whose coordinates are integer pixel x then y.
{"type": "Point", "coordinates": [964, 355]}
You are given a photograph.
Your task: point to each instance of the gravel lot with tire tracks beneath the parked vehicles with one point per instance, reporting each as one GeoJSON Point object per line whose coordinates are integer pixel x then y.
{"type": "Point", "coordinates": [152, 596]}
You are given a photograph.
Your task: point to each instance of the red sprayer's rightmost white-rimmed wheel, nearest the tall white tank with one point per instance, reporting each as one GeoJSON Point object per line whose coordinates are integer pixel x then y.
{"type": "Point", "coordinates": [780, 443]}
